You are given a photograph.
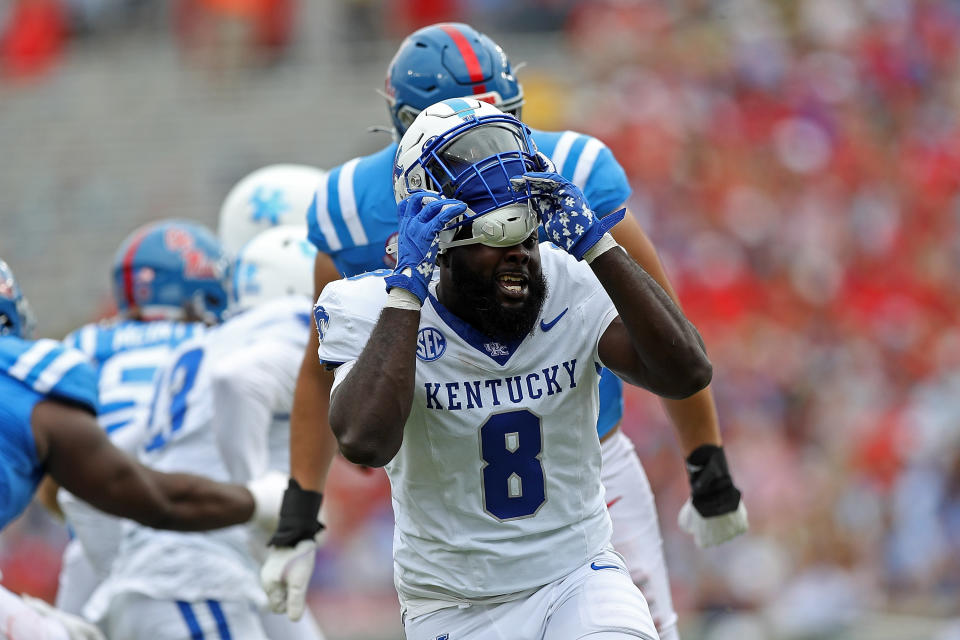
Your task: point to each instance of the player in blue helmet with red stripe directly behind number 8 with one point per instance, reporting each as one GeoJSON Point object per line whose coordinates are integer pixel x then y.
{"type": "Point", "coordinates": [352, 221]}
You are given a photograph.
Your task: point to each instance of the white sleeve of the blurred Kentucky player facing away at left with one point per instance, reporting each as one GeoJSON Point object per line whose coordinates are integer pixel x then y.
{"type": "Point", "coordinates": [249, 385]}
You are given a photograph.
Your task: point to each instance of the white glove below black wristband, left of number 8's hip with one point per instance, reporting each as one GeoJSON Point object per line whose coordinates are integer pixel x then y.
{"type": "Point", "coordinates": [285, 576]}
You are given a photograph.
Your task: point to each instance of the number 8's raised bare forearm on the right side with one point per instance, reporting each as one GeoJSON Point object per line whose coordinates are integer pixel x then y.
{"type": "Point", "coordinates": [670, 355]}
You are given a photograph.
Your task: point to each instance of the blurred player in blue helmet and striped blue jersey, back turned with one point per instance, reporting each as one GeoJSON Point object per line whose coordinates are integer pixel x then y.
{"type": "Point", "coordinates": [169, 282]}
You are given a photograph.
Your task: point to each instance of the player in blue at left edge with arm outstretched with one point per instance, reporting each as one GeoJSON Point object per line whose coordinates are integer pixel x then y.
{"type": "Point", "coordinates": [48, 407]}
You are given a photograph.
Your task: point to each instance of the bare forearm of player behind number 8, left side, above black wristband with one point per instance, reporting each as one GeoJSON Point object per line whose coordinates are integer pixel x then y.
{"type": "Point", "coordinates": [312, 445]}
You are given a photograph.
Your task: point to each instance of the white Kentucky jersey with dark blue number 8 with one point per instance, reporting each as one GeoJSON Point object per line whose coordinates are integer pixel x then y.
{"type": "Point", "coordinates": [496, 488]}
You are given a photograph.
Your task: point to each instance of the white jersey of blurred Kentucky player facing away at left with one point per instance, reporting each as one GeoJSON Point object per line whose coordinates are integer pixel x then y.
{"type": "Point", "coordinates": [258, 348]}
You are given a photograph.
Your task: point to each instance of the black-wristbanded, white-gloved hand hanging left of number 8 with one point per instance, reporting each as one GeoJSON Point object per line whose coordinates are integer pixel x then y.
{"type": "Point", "coordinates": [285, 574]}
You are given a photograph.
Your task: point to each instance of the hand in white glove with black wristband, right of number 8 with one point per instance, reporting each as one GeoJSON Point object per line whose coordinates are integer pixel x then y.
{"type": "Point", "coordinates": [715, 511]}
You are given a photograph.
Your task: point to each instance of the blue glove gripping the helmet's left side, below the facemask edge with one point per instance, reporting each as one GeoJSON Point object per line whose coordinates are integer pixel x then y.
{"type": "Point", "coordinates": [422, 216]}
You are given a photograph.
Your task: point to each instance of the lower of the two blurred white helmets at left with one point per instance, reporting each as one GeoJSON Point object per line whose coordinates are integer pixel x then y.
{"type": "Point", "coordinates": [276, 263]}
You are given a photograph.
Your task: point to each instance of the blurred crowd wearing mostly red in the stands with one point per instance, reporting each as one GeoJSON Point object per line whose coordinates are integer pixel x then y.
{"type": "Point", "coordinates": [797, 164]}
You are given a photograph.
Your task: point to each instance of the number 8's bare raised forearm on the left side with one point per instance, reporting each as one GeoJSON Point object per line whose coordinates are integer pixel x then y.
{"type": "Point", "coordinates": [372, 404]}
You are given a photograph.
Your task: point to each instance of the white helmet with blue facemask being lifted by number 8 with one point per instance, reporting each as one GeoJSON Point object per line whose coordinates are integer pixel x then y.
{"type": "Point", "coordinates": [469, 150]}
